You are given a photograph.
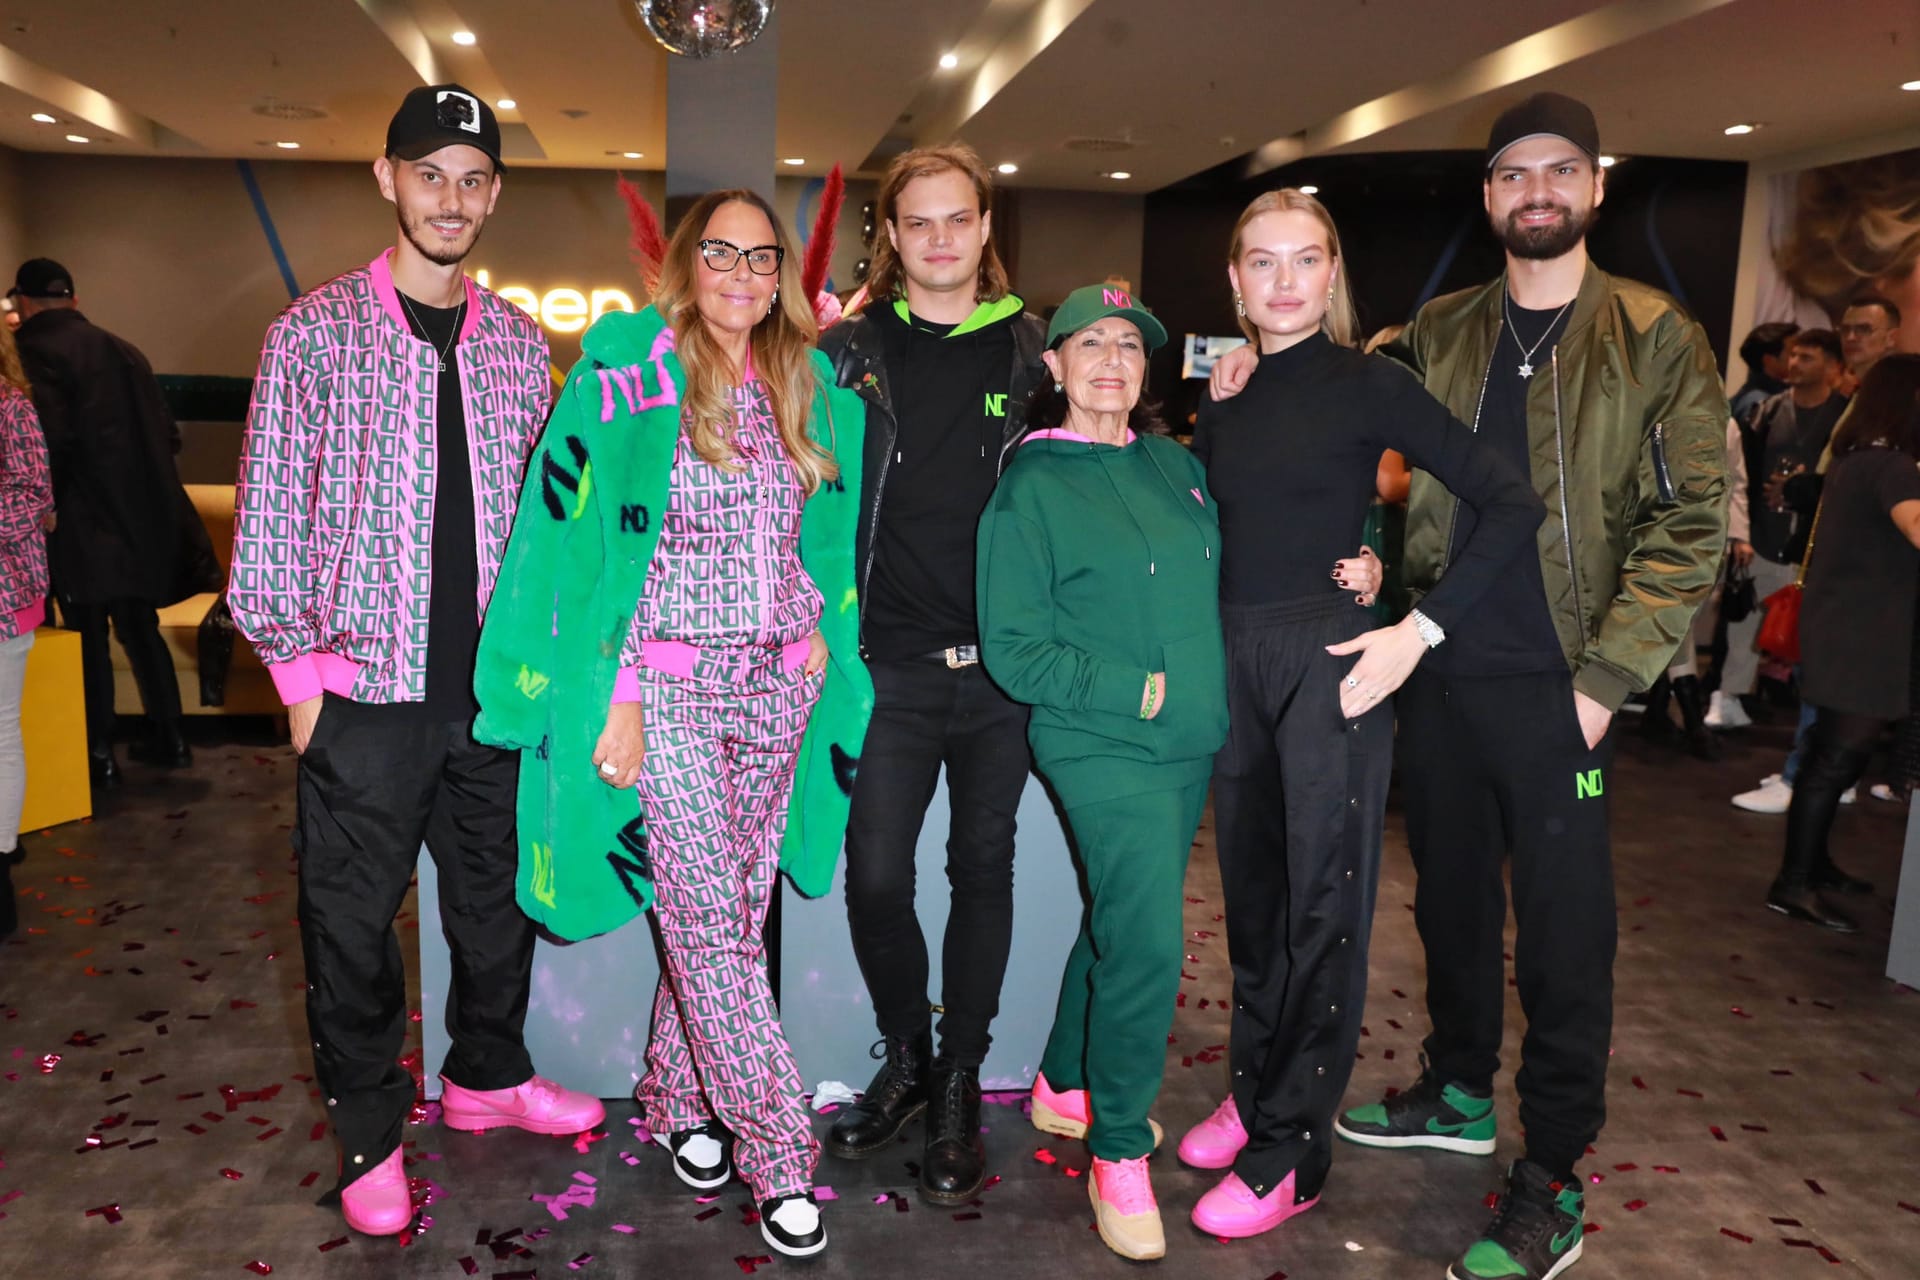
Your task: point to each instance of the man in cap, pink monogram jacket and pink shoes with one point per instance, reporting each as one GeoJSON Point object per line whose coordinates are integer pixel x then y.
{"type": "Point", "coordinates": [393, 417]}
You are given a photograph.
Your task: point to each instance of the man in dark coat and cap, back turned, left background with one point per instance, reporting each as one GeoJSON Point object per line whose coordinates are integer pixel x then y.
{"type": "Point", "coordinates": [116, 550]}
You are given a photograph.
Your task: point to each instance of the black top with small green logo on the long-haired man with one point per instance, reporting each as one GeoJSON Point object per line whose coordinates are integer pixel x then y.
{"type": "Point", "coordinates": [949, 400]}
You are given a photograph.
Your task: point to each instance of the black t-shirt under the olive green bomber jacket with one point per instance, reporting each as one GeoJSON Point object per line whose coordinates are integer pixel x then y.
{"type": "Point", "coordinates": [1510, 632]}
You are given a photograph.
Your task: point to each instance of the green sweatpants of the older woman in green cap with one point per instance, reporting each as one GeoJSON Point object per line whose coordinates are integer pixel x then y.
{"type": "Point", "coordinates": [1124, 974]}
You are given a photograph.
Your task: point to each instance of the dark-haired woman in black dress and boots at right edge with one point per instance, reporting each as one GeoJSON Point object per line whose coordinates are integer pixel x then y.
{"type": "Point", "coordinates": [1858, 625]}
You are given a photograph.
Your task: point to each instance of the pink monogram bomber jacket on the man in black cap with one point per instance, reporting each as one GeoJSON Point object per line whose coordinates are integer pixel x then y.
{"type": "Point", "coordinates": [335, 515]}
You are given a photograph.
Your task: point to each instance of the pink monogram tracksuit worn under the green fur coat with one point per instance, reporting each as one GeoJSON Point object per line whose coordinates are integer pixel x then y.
{"type": "Point", "coordinates": [715, 659]}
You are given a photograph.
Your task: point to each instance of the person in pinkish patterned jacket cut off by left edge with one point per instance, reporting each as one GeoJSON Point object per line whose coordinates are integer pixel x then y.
{"type": "Point", "coordinates": [26, 500]}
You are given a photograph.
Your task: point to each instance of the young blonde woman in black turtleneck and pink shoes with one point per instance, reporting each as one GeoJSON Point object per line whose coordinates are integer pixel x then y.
{"type": "Point", "coordinates": [1301, 788]}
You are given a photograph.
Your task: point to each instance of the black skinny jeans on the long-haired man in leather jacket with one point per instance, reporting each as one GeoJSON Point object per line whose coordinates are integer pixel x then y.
{"type": "Point", "coordinates": [930, 717]}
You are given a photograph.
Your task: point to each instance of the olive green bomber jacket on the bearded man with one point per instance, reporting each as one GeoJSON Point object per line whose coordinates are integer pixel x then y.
{"type": "Point", "coordinates": [1629, 454]}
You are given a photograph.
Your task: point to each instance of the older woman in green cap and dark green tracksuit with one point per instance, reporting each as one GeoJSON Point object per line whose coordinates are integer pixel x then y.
{"type": "Point", "coordinates": [1099, 605]}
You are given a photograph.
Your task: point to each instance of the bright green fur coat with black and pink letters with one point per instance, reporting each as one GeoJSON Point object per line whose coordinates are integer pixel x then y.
{"type": "Point", "coordinates": [569, 586]}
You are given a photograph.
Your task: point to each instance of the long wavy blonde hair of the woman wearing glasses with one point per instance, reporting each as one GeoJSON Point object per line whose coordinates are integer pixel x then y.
{"type": "Point", "coordinates": [780, 348]}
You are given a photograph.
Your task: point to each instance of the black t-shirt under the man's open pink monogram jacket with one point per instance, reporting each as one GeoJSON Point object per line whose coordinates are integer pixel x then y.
{"type": "Point", "coordinates": [454, 615]}
